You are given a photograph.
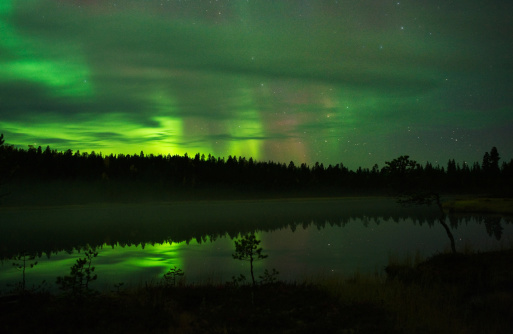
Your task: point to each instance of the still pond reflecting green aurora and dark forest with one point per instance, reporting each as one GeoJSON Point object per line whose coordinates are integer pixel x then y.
{"type": "Point", "coordinates": [303, 238]}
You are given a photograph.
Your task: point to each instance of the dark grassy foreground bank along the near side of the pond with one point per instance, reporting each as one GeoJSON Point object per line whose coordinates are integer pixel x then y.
{"type": "Point", "coordinates": [445, 294]}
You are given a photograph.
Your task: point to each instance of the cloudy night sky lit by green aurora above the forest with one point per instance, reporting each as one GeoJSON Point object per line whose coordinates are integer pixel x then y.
{"type": "Point", "coordinates": [357, 82]}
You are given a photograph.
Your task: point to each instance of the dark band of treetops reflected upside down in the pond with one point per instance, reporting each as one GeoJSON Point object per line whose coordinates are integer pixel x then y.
{"type": "Point", "coordinates": [52, 237]}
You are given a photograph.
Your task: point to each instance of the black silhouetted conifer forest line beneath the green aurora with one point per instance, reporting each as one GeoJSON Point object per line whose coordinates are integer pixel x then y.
{"type": "Point", "coordinates": [183, 171]}
